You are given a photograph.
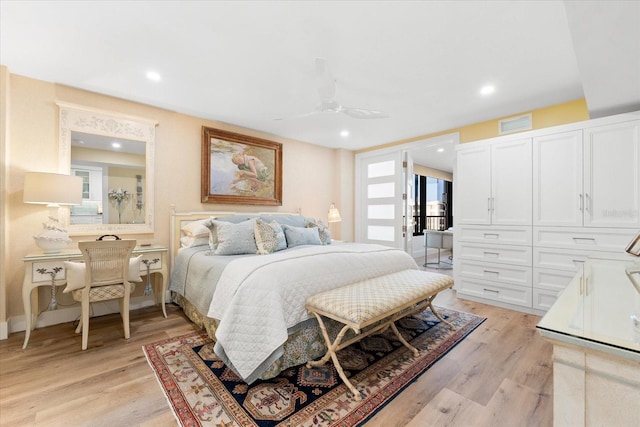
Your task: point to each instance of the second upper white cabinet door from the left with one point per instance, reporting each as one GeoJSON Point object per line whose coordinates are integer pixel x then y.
{"type": "Point", "coordinates": [511, 183]}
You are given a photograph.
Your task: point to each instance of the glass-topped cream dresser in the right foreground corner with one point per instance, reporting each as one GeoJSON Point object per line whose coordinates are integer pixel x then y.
{"type": "Point", "coordinates": [594, 327]}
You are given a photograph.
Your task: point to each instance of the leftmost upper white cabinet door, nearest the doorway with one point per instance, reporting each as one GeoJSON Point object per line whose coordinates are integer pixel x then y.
{"type": "Point", "coordinates": [473, 186]}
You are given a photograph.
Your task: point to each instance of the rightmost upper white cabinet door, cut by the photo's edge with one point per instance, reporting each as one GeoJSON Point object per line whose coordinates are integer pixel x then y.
{"type": "Point", "coordinates": [612, 175]}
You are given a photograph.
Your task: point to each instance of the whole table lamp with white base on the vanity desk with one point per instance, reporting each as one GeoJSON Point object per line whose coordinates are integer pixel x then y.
{"type": "Point", "coordinates": [53, 190]}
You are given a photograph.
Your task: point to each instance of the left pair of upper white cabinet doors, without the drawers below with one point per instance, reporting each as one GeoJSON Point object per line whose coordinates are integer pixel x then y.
{"type": "Point", "coordinates": [493, 184]}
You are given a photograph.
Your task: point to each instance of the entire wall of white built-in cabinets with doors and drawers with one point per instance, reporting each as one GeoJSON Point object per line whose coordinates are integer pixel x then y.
{"type": "Point", "coordinates": [531, 208]}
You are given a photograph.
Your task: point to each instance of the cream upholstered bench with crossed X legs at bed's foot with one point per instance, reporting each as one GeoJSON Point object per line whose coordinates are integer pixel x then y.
{"type": "Point", "coordinates": [376, 303]}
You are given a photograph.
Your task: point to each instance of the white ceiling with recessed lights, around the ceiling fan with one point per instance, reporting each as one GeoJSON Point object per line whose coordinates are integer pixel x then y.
{"type": "Point", "coordinates": [249, 62]}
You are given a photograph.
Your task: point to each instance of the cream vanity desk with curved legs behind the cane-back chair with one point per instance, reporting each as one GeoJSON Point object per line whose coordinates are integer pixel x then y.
{"type": "Point", "coordinates": [48, 270]}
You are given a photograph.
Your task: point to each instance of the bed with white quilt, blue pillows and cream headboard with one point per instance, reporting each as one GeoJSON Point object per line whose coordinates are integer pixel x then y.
{"type": "Point", "coordinates": [251, 302]}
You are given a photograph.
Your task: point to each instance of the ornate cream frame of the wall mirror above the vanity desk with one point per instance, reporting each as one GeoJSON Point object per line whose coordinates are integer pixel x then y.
{"type": "Point", "coordinates": [106, 123]}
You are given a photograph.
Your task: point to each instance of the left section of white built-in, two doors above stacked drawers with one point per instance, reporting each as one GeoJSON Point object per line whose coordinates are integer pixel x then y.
{"type": "Point", "coordinates": [492, 219]}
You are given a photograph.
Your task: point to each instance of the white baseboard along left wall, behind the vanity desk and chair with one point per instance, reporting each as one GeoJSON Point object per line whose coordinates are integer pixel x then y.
{"type": "Point", "coordinates": [70, 314]}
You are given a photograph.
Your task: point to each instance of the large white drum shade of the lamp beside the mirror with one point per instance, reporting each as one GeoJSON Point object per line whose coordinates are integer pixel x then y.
{"type": "Point", "coordinates": [52, 189]}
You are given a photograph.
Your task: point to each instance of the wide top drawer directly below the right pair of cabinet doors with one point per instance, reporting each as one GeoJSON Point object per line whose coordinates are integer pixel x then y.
{"type": "Point", "coordinates": [600, 239]}
